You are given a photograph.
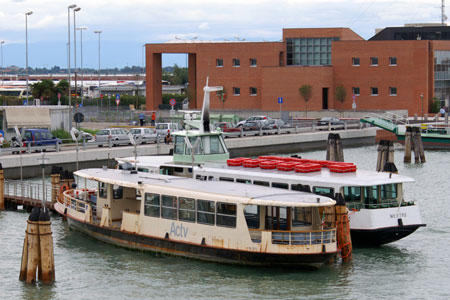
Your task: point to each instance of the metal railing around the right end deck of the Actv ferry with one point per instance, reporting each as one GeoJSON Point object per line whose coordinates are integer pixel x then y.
{"type": "Point", "coordinates": [310, 237]}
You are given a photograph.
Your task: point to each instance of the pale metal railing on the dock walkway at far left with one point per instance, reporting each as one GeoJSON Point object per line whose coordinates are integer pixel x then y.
{"type": "Point", "coordinates": [29, 190]}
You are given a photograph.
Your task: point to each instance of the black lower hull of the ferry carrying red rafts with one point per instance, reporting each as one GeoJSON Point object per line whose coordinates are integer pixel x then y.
{"type": "Point", "coordinates": [381, 236]}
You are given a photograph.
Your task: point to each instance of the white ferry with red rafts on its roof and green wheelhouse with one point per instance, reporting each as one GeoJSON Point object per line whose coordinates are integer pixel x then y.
{"type": "Point", "coordinates": [379, 213]}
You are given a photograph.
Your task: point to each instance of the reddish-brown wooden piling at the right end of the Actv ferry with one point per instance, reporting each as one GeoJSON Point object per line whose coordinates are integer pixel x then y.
{"type": "Point", "coordinates": [343, 231]}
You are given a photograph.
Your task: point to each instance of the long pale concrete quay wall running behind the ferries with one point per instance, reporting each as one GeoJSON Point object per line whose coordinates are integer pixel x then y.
{"type": "Point", "coordinates": [246, 146]}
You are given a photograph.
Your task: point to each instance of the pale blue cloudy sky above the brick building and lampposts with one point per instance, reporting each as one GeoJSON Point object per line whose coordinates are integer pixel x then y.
{"type": "Point", "coordinates": [127, 25]}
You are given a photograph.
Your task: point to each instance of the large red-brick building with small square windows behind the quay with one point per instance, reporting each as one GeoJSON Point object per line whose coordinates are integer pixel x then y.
{"type": "Point", "coordinates": [381, 74]}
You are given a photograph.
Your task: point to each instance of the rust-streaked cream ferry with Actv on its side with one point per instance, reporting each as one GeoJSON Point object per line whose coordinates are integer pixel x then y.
{"type": "Point", "coordinates": [212, 221]}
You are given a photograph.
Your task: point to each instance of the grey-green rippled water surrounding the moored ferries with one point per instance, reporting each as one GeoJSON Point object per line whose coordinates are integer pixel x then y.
{"type": "Point", "coordinates": [417, 267]}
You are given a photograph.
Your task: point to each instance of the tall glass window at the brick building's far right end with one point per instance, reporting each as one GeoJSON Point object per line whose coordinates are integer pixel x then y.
{"type": "Point", "coordinates": [442, 76]}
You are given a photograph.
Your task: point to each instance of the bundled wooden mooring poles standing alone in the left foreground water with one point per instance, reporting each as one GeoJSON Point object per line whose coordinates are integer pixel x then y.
{"type": "Point", "coordinates": [37, 253]}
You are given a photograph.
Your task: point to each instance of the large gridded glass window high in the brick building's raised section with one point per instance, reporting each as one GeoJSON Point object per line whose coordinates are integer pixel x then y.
{"type": "Point", "coordinates": [309, 51]}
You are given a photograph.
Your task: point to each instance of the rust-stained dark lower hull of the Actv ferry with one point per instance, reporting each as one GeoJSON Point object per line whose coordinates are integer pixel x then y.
{"type": "Point", "coordinates": [197, 251]}
